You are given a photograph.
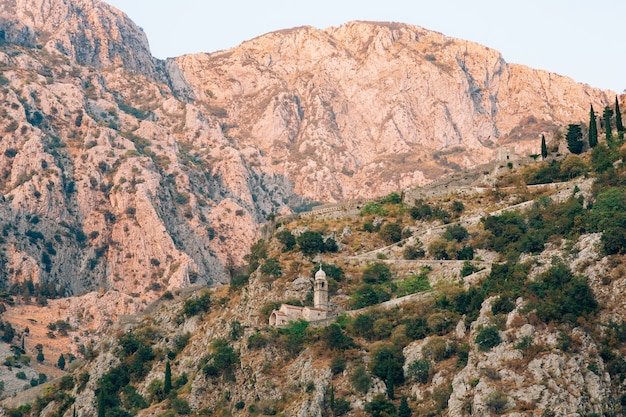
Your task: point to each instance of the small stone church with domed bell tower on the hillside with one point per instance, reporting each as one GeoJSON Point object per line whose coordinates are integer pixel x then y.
{"type": "Point", "coordinates": [287, 313]}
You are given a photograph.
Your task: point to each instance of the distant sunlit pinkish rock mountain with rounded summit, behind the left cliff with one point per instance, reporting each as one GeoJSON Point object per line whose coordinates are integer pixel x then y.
{"type": "Point", "coordinates": [367, 108]}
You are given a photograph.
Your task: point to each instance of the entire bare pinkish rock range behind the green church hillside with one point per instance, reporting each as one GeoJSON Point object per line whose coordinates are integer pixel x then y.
{"type": "Point", "coordinates": [124, 173]}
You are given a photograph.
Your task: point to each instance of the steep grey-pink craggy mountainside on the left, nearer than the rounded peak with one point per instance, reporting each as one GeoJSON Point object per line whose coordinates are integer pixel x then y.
{"type": "Point", "coordinates": [109, 181]}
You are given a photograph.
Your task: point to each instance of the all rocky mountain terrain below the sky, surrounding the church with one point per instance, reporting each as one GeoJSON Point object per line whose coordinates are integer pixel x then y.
{"type": "Point", "coordinates": [127, 184]}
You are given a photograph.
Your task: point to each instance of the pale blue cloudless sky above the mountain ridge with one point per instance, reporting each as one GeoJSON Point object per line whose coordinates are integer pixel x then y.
{"type": "Point", "coordinates": [582, 39]}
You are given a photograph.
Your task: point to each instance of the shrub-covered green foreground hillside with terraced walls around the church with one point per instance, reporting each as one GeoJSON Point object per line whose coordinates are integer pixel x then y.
{"type": "Point", "coordinates": [487, 301]}
